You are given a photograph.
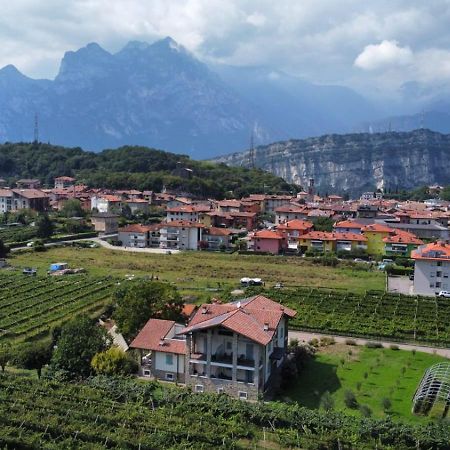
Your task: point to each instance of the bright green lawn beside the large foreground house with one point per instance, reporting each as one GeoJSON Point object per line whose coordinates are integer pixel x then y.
{"type": "Point", "coordinates": [335, 370]}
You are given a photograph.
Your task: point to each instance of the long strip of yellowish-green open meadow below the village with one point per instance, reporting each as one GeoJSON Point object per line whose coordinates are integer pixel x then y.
{"type": "Point", "coordinates": [194, 270]}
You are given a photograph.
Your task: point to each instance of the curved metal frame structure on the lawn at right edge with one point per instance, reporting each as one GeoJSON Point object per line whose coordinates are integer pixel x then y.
{"type": "Point", "coordinates": [432, 397]}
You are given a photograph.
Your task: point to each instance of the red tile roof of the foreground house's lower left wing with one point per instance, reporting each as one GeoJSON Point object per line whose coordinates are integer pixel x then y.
{"type": "Point", "coordinates": [155, 331]}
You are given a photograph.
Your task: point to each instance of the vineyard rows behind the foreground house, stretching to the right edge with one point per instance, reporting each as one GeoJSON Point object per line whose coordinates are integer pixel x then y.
{"type": "Point", "coordinates": [374, 314]}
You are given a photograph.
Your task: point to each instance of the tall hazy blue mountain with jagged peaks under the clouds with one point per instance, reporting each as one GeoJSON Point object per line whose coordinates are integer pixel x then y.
{"type": "Point", "coordinates": [160, 95]}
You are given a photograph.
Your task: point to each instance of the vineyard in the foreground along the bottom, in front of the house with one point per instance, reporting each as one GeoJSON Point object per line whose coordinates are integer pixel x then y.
{"type": "Point", "coordinates": [112, 413]}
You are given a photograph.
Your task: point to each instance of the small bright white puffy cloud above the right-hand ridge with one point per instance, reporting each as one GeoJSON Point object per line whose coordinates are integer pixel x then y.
{"type": "Point", "coordinates": [387, 54]}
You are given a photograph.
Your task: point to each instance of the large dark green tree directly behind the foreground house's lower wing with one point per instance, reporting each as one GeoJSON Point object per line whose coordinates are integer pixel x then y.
{"type": "Point", "coordinates": [140, 300]}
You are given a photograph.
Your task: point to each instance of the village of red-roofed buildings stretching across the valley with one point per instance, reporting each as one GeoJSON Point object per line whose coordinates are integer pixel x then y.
{"type": "Point", "coordinates": [386, 232]}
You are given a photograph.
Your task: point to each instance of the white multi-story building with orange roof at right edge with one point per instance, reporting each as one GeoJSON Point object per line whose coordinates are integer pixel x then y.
{"type": "Point", "coordinates": [431, 268]}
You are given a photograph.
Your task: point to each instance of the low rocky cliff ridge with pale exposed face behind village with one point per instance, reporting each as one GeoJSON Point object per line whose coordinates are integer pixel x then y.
{"type": "Point", "coordinates": [354, 163]}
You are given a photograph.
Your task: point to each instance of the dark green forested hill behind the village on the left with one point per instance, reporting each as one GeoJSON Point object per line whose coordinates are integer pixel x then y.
{"type": "Point", "coordinates": [134, 167]}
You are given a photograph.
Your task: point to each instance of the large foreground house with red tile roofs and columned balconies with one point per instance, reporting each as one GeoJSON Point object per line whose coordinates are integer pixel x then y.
{"type": "Point", "coordinates": [236, 348]}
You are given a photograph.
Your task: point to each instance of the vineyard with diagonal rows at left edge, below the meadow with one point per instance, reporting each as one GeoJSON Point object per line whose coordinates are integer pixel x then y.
{"type": "Point", "coordinates": [30, 306]}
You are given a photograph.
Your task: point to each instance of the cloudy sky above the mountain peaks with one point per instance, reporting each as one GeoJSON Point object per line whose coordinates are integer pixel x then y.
{"type": "Point", "coordinates": [364, 44]}
